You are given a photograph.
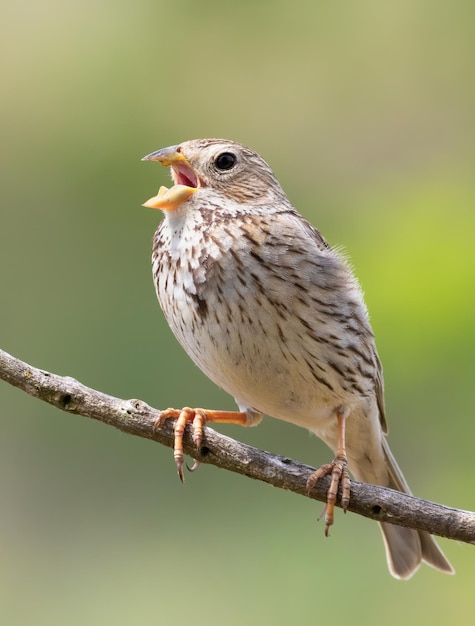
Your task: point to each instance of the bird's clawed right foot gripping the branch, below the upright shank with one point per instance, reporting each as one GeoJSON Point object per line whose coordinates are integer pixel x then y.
{"type": "Point", "coordinates": [338, 470]}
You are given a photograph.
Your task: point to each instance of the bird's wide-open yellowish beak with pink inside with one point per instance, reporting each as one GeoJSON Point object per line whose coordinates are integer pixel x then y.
{"type": "Point", "coordinates": [185, 180]}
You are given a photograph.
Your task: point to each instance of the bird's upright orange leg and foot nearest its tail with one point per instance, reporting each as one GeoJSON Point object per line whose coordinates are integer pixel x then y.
{"type": "Point", "coordinates": [338, 470]}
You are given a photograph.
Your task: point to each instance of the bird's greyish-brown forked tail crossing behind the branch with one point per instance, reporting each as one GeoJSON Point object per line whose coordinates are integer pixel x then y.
{"type": "Point", "coordinates": [405, 547]}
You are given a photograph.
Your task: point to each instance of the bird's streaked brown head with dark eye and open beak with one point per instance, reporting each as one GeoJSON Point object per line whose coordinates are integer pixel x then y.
{"type": "Point", "coordinates": [215, 169]}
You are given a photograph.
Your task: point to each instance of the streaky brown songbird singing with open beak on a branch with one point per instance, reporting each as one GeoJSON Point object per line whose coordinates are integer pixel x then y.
{"type": "Point", "coordinates": [275, 316]}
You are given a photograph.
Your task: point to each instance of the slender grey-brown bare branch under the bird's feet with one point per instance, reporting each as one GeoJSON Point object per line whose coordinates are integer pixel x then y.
{"type": "Point", "coordinates": [137, 418]}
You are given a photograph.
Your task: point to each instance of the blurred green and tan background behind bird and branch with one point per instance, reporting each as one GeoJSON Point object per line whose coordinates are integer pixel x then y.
{"type": "Point", "coordinates": [365, 112]}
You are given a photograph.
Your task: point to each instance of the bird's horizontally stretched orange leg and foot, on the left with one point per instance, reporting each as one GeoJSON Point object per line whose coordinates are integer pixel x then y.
{"type": "Point", "coordinates": [198, 418]}
